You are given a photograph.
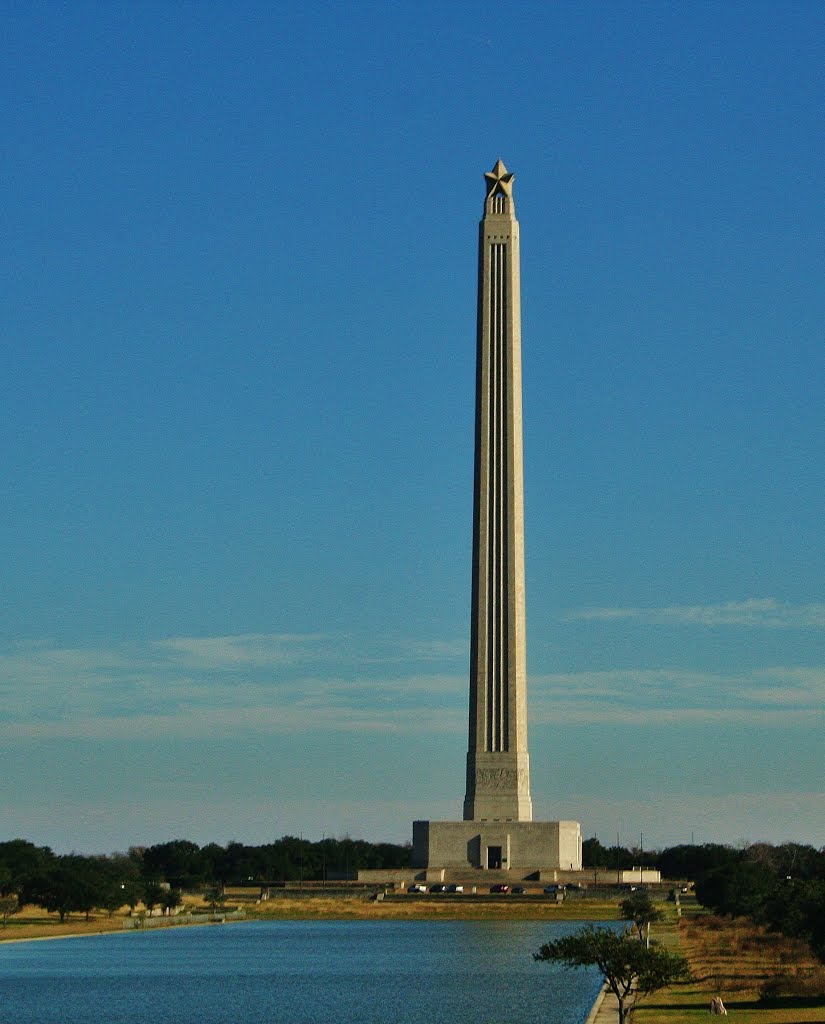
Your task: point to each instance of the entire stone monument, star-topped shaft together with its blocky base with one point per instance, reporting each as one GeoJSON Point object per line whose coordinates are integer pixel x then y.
{"type": "Point", "coordinates": [498, 831]}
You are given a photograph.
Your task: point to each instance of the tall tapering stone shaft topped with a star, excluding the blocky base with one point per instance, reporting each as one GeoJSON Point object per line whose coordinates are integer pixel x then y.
{"type": "Point", "coordinates": [498, 764]}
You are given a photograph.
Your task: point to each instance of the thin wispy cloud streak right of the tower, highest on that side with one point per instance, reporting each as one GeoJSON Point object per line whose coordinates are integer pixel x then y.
{"type": "Point", "coordinates": [755, 613]}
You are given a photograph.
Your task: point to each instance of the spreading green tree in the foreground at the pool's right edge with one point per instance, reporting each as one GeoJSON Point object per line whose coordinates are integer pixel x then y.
{"type": "Point", "coordinates": [631, 970]}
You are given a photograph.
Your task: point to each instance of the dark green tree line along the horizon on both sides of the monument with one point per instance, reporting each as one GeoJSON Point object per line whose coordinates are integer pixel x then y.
{"type": "Point", "coordinates": [783, 887]}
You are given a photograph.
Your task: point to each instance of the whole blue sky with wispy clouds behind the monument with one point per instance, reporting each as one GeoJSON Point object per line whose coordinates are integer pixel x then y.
{"type": "Point", "coordinates": [238, 330]}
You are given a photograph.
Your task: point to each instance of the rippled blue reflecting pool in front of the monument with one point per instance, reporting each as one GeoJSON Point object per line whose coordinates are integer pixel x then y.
{"type": "Point", "coordinates": [381, 972]}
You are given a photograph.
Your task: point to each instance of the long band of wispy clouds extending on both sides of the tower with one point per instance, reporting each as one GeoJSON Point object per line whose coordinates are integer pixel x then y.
{"type": "Point", "coordinates": [279, 684]}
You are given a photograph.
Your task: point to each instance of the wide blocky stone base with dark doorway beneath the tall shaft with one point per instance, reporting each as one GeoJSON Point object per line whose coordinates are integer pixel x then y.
{"type": "Point", "coordinates": [524, 846]}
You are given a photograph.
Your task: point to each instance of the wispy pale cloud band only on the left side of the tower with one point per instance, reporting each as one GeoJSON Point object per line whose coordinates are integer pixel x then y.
{"type": "Point", "coordinates": [206, 687]}
